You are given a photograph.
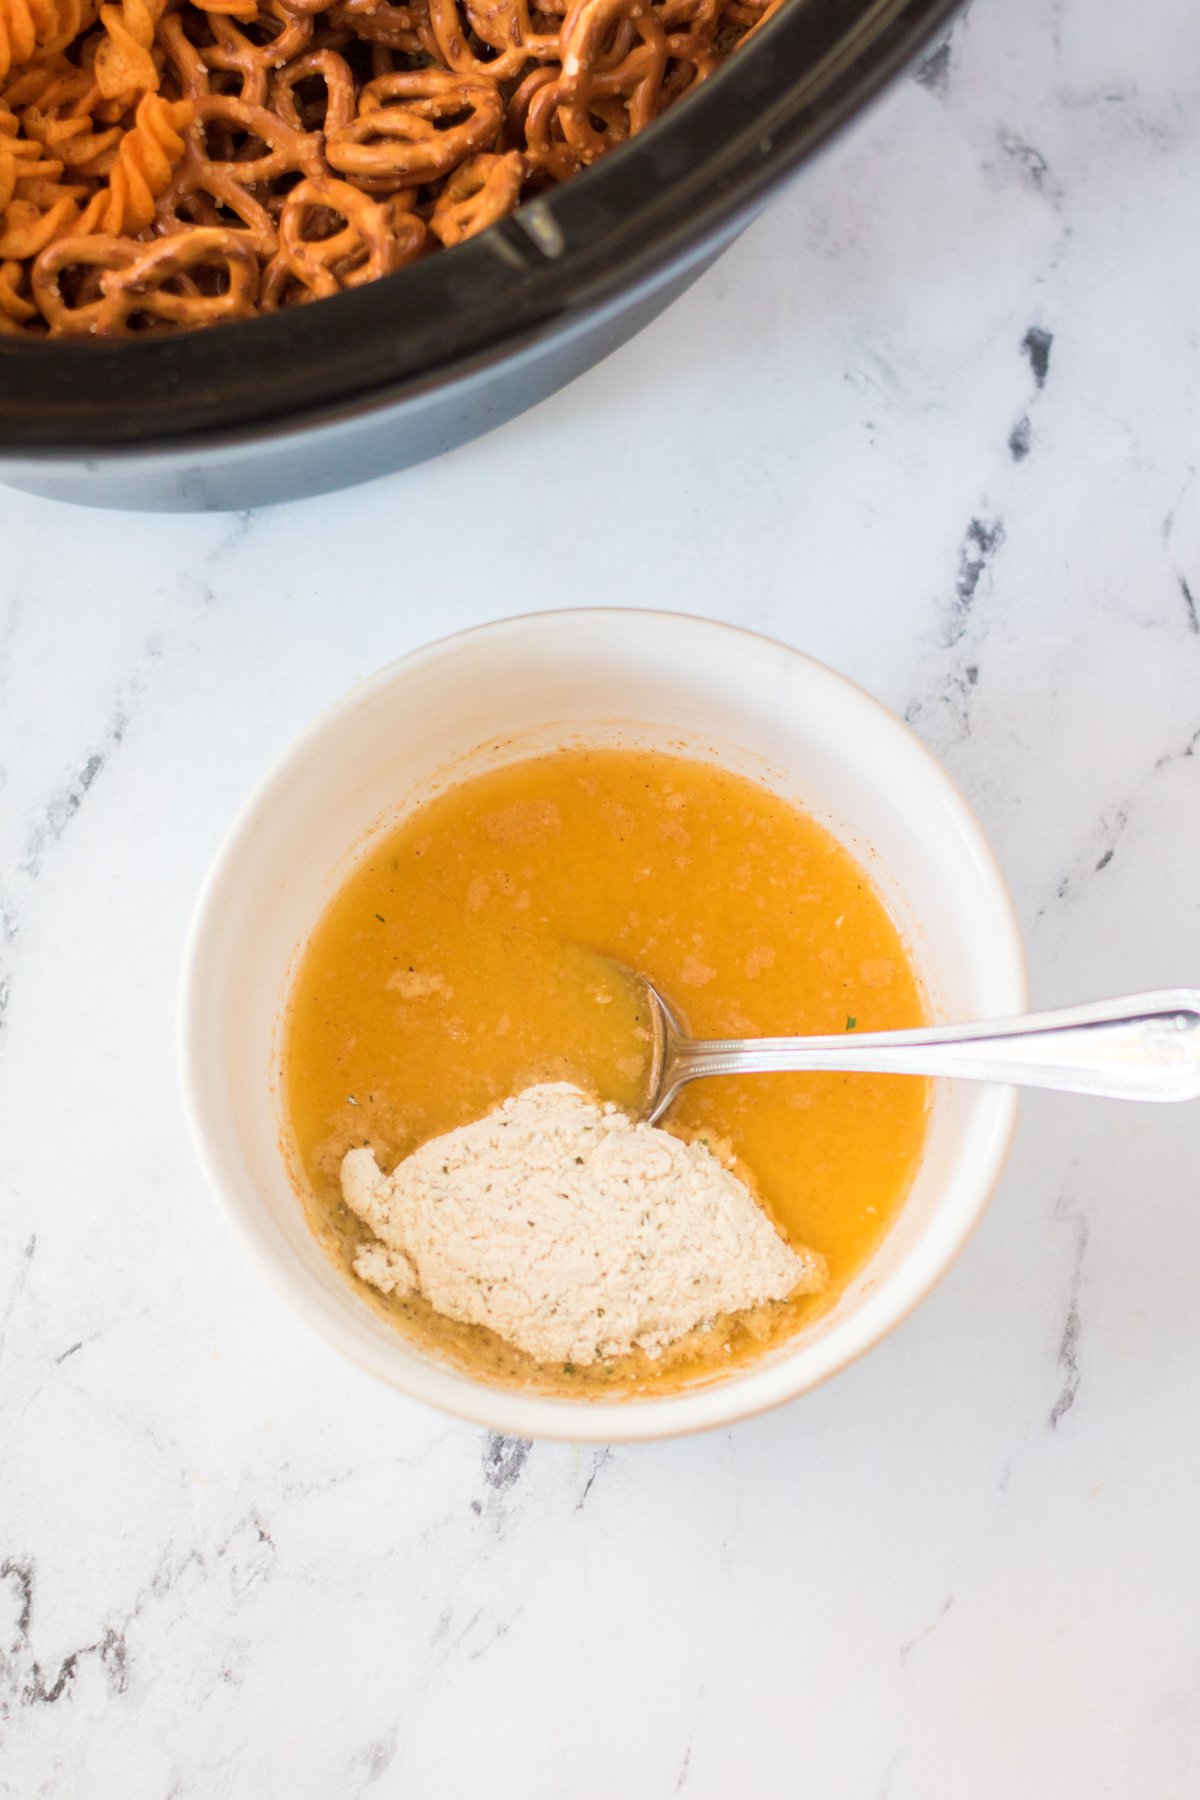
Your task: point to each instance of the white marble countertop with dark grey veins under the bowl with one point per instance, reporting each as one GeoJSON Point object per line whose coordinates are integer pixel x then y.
{"type": "Point", "coordinates": [971, 1567]}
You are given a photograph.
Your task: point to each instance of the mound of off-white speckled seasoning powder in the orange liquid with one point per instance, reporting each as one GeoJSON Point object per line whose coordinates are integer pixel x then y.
{"type": "Point", "coordinates": [571, 1232]}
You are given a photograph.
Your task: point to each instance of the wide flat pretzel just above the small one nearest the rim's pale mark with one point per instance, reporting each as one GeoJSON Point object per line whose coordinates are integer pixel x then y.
{"type": "Point", "coordinates": [411, 127]}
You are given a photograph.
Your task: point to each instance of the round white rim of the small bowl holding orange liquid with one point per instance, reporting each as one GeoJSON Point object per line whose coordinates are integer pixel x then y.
{"type": "Point", "coordinates": [586, 1421]}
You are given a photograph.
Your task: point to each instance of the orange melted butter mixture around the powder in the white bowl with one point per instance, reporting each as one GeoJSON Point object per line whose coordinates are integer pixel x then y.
{"type": "Point", "coordinates": [467, 958]}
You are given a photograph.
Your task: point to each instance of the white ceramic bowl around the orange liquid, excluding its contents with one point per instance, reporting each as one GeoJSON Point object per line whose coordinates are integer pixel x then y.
{"type": "Point", "coordinates": [512, 690]}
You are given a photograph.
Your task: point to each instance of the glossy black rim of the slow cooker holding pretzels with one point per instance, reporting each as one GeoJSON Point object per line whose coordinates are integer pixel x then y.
{"type": "Point", "coordinates": [620, 228]}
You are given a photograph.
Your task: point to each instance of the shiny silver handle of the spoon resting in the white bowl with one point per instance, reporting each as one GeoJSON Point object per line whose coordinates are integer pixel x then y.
{"type": "Point", "coordinates": [1145, 1047]}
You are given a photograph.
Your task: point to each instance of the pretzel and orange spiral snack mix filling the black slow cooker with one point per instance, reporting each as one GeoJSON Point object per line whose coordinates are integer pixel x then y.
{"type": "Point", "coordinates": [170, 165]}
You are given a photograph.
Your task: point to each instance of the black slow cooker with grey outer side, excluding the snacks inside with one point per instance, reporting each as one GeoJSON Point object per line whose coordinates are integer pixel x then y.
{"type": "Point", "coordinates": [397, 372]}
